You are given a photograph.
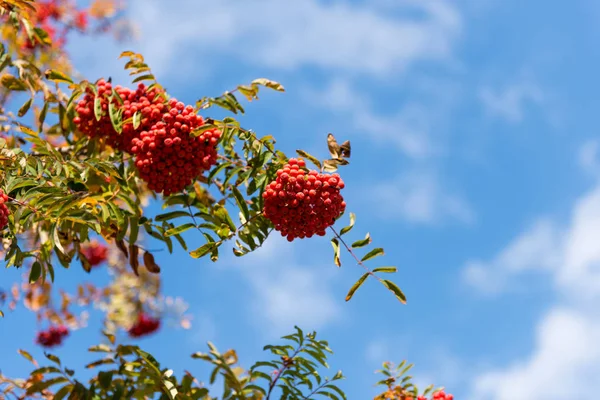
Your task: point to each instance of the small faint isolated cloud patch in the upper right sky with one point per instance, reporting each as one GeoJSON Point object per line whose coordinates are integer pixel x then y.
{"type": "Point", "coordinates": [509, 102]}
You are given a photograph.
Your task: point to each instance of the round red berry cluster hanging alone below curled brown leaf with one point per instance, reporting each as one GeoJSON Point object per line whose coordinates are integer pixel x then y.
{"type": "Point", "coordinates": [302, 204]}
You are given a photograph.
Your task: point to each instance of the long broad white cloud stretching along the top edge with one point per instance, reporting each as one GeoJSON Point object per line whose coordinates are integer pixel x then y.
{"type": "Point", "coordinates": [289, 35]}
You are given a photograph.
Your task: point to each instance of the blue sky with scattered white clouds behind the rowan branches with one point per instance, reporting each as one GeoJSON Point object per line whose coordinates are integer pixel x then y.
{"type": "Point", "coordinates": [475, 165]}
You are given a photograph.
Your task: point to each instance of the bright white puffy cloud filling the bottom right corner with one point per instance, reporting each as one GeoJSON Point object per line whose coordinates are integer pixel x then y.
{"type": "Point", "coordinates": [565, 363]}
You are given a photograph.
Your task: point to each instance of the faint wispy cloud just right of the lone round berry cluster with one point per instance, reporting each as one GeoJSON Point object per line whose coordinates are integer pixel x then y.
{"type": "Point", "coordinates": [419, 197]}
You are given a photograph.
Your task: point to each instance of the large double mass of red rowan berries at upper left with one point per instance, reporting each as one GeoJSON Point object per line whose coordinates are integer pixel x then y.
{"type": "Point", "coordinates": [167, 156]}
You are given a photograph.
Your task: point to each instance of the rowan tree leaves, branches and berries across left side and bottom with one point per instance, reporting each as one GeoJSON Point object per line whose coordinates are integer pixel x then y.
{"type": "Point", "coordinates": [73, 194]}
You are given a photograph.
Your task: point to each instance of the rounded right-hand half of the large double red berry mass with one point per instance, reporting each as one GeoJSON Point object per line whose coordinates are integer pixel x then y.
{"type": "Point", "coordinates": [168, 157]}
